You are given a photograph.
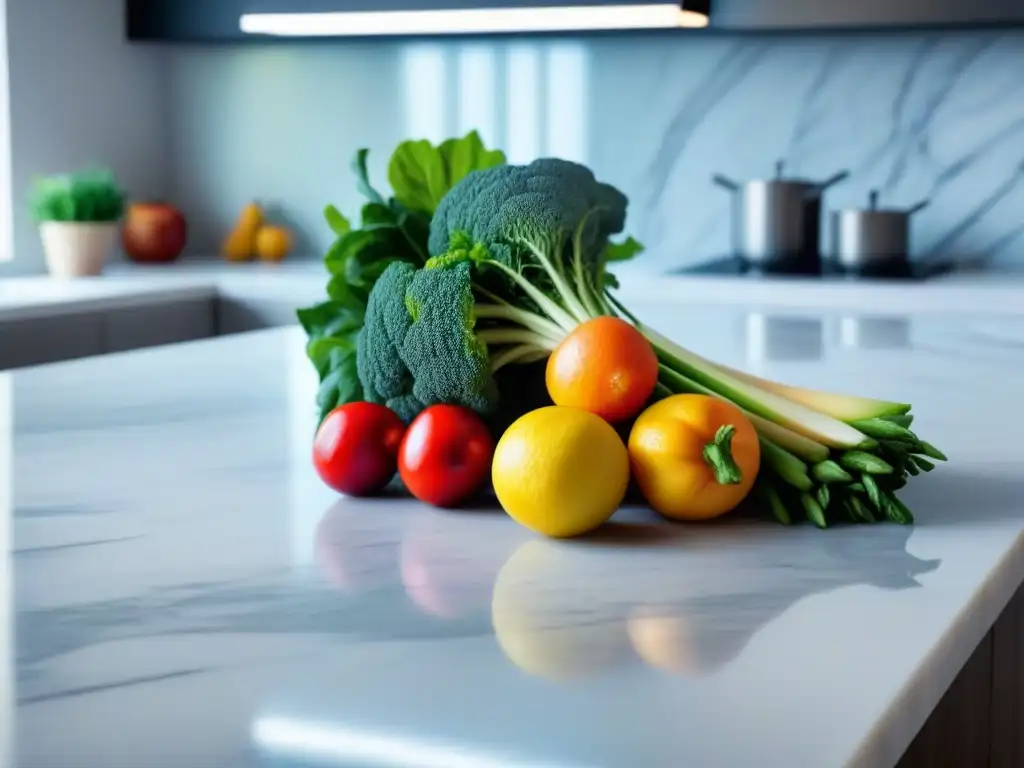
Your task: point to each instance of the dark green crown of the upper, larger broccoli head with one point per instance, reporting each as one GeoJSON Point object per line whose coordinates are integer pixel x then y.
{"type": "Point", "coordinates": [544, 203]}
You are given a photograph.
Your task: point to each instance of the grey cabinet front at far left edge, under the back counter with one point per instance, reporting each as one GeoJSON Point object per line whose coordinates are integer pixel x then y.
{"type": "Point", "coordinates": [35, 342]}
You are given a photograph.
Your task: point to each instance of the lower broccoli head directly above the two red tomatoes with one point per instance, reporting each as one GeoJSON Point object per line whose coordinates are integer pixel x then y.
{"type": "Point", "coordinates": [419, 348]}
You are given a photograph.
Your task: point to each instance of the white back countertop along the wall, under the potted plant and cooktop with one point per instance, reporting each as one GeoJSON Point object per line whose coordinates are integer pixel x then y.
{"type": "Point", "coordinates": [303, 281]}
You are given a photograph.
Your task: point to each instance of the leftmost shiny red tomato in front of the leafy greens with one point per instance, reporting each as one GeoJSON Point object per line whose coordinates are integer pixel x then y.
{"type": "Point", "coordinates": [356, 451]}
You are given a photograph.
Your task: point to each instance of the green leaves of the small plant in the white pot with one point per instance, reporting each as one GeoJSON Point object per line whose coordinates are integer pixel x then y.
{"type": "Point", "coordinates": [86, 197]}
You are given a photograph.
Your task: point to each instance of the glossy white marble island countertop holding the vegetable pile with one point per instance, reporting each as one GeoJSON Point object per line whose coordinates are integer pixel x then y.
{"type": "Point", "coordinates": [186, 592]}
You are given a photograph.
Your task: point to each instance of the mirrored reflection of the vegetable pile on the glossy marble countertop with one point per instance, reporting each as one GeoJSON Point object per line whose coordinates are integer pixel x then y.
{"type": "Point", "coordinates": [678, 601]}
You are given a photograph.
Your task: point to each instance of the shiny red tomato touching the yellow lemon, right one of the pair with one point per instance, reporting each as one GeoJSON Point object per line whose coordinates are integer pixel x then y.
{"type": "Point", "coordinates": [446, 456]}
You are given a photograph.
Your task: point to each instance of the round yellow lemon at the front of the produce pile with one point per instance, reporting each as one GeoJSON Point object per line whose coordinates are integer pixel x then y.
{"type": "Point", "coordinates": [561, 472]}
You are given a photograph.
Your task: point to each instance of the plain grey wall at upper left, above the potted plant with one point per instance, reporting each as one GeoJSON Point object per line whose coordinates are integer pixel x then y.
{"type": "Point", "coordinates": [79, 96]}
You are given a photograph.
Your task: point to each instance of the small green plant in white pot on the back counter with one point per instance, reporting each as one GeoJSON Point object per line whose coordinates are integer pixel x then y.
{"type": "Point", "coordinates": [78, 217]}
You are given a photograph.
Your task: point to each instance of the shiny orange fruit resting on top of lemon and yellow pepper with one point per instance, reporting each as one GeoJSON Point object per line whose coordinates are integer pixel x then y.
{"type": "Point", "coordinates": [606, 367]}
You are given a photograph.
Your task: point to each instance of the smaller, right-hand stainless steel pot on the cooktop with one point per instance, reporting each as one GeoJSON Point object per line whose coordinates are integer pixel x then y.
{"type": "Point", "coordinates": [873, 238]}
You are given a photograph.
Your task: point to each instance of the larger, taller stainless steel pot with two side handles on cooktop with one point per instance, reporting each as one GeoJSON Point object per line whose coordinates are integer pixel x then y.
{"type": "Point", "coordinates": [777, 220]}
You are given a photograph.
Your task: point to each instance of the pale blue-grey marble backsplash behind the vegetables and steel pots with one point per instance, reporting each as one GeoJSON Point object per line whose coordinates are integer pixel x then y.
{"type": "Point", "coordinates": [936, 116]}
